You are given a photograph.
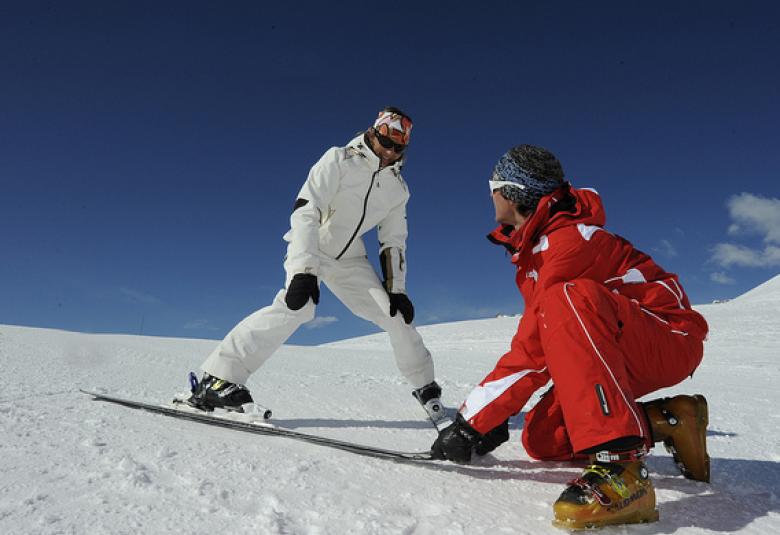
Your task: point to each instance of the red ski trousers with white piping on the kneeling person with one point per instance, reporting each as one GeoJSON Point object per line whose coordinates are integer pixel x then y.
{"type": "Point", "coordinates": [602, 352]}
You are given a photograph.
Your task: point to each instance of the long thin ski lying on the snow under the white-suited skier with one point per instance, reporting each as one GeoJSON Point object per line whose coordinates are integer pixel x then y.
{"type": "Point", "coordinates": [263, 428]}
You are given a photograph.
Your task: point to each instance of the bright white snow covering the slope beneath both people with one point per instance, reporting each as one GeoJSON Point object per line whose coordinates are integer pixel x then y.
{"type": "Point", "coordinates": [72, 465]}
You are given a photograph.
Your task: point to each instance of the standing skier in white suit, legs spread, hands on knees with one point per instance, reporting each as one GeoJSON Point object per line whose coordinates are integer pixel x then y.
{"type": "Point", "coordinates": [349, 191]}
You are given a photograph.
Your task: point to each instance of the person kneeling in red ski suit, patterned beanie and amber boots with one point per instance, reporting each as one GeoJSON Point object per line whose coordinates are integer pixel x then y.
{"type": "Point", "coordinates": [605, 325]}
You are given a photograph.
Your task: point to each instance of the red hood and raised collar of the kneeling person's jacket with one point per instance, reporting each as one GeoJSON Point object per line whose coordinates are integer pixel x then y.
{"type": "Point", "coordinates": [562, 208]}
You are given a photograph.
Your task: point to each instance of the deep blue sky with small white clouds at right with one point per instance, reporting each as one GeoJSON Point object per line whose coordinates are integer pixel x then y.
{"type": "Point", "coordinates": [150, 152]}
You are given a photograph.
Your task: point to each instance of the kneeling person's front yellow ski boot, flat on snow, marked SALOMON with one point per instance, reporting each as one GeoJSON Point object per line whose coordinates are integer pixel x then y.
{"type": "Point", "coordinates": [607, 493]}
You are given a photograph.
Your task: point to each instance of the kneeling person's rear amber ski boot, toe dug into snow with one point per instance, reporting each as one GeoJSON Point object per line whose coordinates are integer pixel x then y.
{"type": "Point", "coordinates": [681, 424]}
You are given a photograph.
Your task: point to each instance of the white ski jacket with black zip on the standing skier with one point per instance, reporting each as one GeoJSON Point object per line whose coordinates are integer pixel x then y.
{"type": "Point", "coordinates": [345, 195]}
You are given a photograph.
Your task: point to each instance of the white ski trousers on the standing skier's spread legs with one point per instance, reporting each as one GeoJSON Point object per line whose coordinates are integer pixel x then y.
{"type": "Point", "coordinates": [250, 343]}
